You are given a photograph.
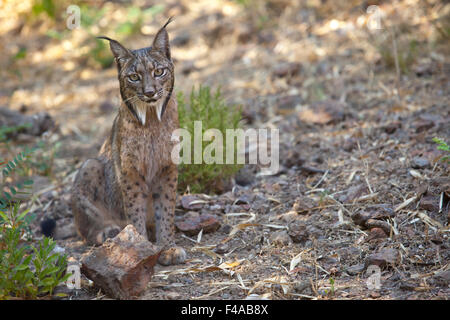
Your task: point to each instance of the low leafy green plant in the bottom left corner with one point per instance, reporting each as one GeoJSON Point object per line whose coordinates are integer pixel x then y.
{"type": "Point", "coordinates": [27, 271]}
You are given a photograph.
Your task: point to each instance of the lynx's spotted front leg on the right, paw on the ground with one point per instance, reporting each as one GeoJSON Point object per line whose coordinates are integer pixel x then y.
{"type": "Point", "coordinates": [164, 198]}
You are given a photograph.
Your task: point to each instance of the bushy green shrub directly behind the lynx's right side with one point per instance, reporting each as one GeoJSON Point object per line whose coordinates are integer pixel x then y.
{"type": "Point", "coordinates": [212, 110]}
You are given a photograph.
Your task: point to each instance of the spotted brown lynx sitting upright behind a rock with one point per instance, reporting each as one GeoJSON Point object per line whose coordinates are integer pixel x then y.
{"type": "Point", "coordinates": [133, 180]}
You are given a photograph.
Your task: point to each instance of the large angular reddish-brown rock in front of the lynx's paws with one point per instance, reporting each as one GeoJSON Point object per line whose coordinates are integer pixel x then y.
{"type": "Point", "coordinates": [122, 266]}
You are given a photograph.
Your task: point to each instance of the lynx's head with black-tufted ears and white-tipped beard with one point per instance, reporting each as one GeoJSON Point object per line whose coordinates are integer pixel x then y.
{"type": "Point", "coordinates": [146, 75]}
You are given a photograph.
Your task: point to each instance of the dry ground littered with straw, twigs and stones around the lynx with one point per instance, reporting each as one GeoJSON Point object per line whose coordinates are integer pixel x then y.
{"type": "Point", "coordinates": [361, 182]}
